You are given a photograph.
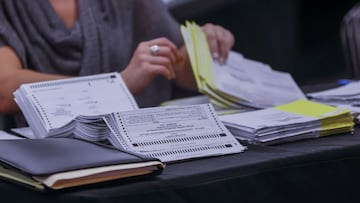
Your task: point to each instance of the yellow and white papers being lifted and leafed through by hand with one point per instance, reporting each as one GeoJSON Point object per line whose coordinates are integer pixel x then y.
{"type": "Point", "coordinates": [240, 82]}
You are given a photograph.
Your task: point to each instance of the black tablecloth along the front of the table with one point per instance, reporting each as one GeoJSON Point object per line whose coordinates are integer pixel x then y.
{"type": "Point", "coordinates": [316, 170]}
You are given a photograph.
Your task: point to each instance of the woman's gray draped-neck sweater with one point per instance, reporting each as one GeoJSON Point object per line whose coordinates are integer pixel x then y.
{"type": "Point", "coordinates": [102, 40]}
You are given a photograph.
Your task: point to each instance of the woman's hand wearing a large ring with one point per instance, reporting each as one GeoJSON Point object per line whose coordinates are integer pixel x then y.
{"type": "Point", "coordinates": [150, 59]}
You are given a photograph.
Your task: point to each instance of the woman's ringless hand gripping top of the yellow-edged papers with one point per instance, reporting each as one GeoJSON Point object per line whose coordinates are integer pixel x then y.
{"type": "Point", "coordinates": [220, 41]}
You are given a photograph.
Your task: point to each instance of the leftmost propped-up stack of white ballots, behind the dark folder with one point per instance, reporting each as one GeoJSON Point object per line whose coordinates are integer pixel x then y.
{"type": "Point", "coordinates": [73, 106]}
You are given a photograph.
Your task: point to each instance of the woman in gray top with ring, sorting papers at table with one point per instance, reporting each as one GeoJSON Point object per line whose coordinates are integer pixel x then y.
{"type": "Point", "coordinates": [52, 39]}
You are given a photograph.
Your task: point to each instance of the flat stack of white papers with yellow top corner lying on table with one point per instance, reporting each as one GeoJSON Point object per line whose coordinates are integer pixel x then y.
{"type": "Point", "coordinates": [289, 122]}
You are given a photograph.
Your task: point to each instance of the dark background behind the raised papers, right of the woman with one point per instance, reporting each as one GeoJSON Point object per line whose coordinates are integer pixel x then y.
{"type": "Point", "coordinates": [298, 36]}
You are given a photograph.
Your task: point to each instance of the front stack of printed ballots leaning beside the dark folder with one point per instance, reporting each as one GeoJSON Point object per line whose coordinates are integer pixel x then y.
{"type": "Point", "coordinates": [172, 133]}
